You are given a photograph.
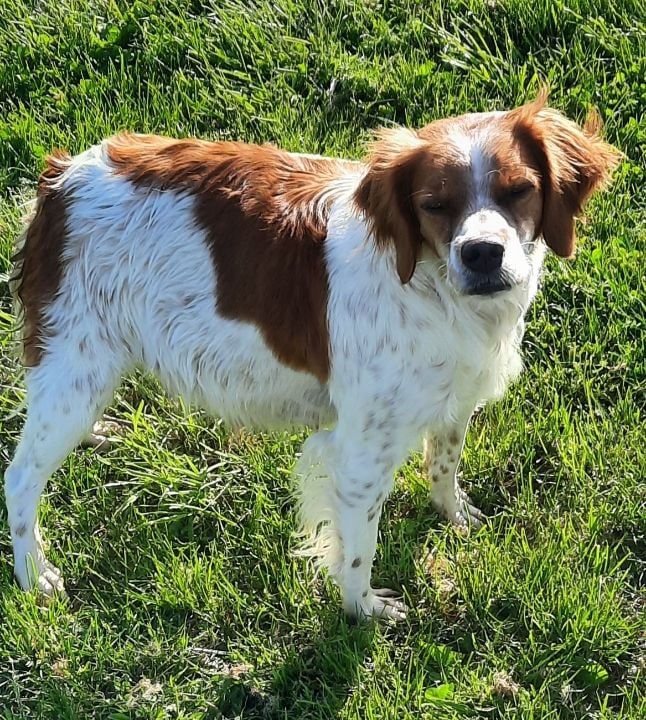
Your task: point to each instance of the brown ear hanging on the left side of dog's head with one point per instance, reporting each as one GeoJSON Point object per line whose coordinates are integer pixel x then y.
{"type": "Point", "coordinates": [385, 196]}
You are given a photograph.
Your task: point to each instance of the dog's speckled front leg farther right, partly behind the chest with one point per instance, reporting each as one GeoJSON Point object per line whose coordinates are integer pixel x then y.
{"type": "Point", "coordinates": [442, 449]}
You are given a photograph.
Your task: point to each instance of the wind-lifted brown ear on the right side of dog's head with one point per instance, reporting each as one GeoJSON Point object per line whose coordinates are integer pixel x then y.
{"type": "Point", "coordinates": [574, 161]}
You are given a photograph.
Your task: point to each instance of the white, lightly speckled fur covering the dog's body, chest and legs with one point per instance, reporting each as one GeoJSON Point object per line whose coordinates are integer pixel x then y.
{"type": "Point", "coordinates": [409, 363]}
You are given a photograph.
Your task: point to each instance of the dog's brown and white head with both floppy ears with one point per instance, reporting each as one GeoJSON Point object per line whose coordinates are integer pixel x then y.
{"type": "Point", "coordinates": [477, 191]}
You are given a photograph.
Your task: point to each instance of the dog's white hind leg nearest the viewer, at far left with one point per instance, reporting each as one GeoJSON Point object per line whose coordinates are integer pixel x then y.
{"type": "Point", "coordinates": [64, 398]}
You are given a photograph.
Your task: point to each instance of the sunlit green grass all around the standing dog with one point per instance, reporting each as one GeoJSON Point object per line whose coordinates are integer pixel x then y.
{"type": "Point", "coordinates": [184, 600]}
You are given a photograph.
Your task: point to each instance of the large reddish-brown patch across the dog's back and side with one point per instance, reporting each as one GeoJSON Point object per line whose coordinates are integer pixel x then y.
{"type": "Point", "coordinates": [265, 212]}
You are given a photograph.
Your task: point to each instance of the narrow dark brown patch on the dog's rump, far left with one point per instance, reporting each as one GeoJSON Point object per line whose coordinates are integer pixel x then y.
{"type": "Point", "coordinates": [38, 263]}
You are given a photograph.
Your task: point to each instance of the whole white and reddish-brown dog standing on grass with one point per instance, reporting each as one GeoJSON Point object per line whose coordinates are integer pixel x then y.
{"type": "Point", "coordinates": [382, 300]}
